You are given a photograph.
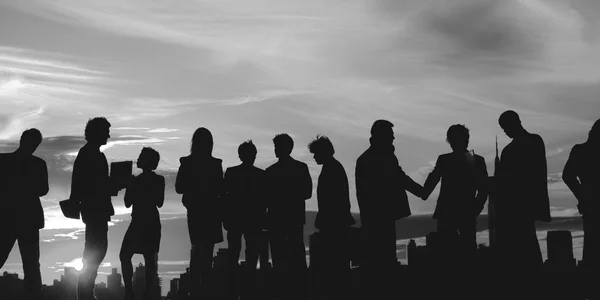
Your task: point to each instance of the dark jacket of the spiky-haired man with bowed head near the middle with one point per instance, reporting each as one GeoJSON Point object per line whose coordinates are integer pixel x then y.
{"type": "Point", "coordinates": [333, 198]}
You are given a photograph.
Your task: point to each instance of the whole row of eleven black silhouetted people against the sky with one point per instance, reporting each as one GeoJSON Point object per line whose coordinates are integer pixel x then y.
{"type": "Point", "coordinates": [268, 206]}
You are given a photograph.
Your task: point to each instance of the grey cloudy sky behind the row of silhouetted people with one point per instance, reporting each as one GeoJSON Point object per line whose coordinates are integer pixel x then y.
{"type": "Point", "coordinates": [251, 69]}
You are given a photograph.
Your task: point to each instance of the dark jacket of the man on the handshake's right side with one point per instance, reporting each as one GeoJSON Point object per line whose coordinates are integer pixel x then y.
{"type": "Point", "coordinates": [463, 192]}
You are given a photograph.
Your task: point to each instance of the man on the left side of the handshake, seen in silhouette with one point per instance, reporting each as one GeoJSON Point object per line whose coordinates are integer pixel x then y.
{"type": "Point", "coordinates": [381, 187]}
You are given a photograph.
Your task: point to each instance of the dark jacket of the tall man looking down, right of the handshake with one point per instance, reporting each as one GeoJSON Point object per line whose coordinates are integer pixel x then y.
{"type": "Point", "coordinates": [523, 176]}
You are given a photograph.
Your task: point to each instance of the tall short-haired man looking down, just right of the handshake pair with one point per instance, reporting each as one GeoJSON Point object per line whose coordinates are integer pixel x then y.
{"type": "Point", "coordinates": [523, 195]}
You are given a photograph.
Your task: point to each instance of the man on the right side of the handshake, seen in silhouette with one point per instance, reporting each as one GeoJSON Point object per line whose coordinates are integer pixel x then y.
{"type": "Point", "coordinates": [463, 192]}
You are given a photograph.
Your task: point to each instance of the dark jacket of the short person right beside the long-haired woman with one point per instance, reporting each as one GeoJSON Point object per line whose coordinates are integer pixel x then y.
{"type": "Point", "coordinates": [245, 199]}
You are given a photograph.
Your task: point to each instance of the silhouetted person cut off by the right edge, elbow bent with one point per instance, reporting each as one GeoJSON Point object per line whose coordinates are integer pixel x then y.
{"type": "Point", "coordinates": [582, 176]}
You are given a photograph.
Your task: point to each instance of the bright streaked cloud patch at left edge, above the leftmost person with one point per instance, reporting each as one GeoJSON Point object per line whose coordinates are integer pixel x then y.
{"type": "Point", "coordinates": [36, 86]}
